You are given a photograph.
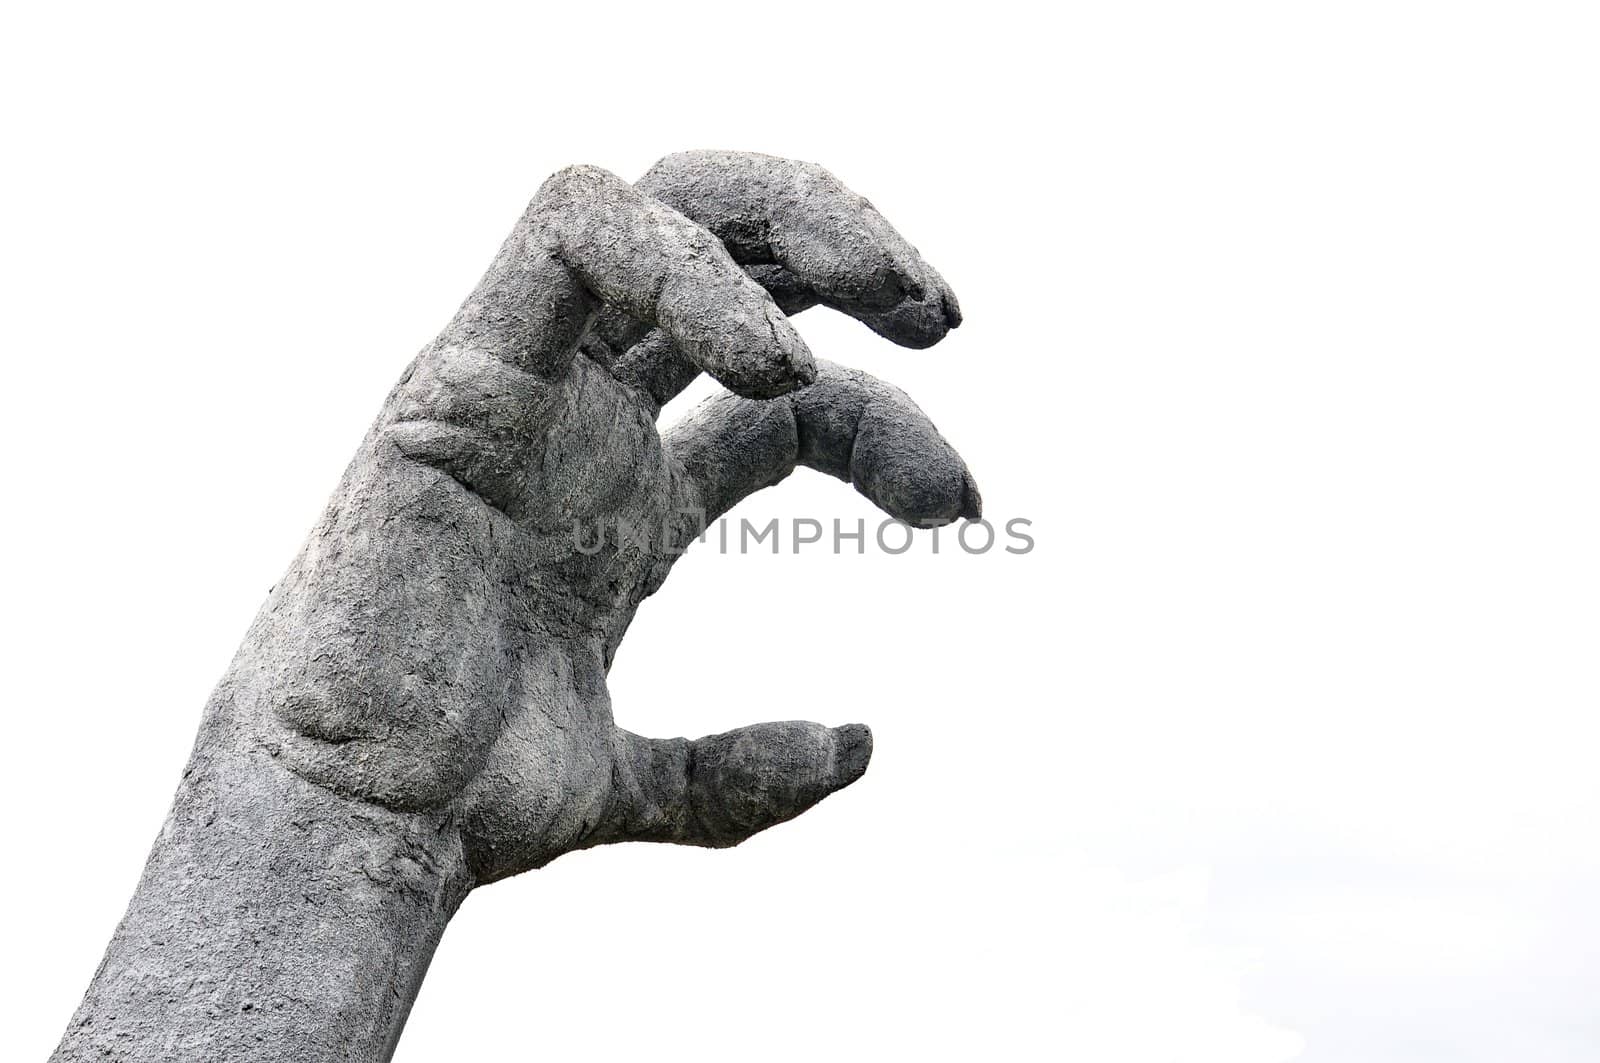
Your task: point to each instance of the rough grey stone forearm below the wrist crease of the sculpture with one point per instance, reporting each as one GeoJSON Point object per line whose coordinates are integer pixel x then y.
{"type": "Point", "coordinates": [274, 921]}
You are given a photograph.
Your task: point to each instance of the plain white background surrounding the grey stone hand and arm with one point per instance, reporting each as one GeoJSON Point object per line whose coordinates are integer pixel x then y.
{"type": "Point", "coordinates": [1281, 331]}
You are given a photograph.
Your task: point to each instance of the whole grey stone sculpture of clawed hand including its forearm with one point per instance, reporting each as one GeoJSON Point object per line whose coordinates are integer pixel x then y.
{"type": "Point", "coordinates": [422, 705]}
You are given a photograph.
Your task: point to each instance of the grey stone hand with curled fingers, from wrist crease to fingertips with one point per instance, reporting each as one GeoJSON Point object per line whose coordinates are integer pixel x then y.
{"type": "Point", "coordinates": [444, 636]}
